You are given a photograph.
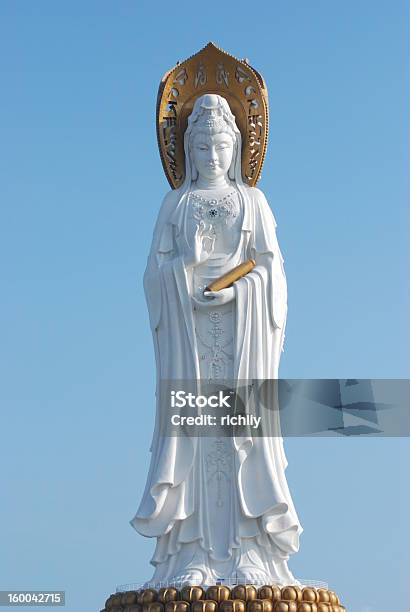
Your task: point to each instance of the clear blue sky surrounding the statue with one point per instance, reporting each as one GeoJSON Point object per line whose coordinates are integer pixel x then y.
{"type": "Point", "coordinates": [80, 187]}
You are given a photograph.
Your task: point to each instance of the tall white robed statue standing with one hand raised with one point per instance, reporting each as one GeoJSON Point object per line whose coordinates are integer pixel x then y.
{"type": "Point", "coordinates": [248, 527]}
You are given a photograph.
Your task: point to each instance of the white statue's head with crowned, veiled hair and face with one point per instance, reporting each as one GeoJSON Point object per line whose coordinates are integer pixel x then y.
{"type": "Point", "coordinates": [212, 140]}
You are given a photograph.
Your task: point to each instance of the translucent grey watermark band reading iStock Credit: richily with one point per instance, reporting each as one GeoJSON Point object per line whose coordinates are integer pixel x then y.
{"type": "Point", "coordinates": [284, 407]}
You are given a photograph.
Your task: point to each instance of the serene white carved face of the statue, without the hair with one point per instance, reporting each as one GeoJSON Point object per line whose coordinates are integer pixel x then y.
{"type": "Point", "coordinates": [212, 154]}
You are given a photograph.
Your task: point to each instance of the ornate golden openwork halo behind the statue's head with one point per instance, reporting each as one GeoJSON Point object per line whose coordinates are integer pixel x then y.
{"type": "Point", "coordinates": [212, 71]}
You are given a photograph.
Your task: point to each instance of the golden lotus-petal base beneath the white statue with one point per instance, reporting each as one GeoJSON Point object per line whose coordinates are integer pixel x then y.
{"type": "Point", "coordinates": [221, 598]}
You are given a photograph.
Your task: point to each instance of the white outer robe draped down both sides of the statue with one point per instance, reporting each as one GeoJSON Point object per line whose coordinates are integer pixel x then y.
{"type": "Point", "coordinates": [170, 509]}
